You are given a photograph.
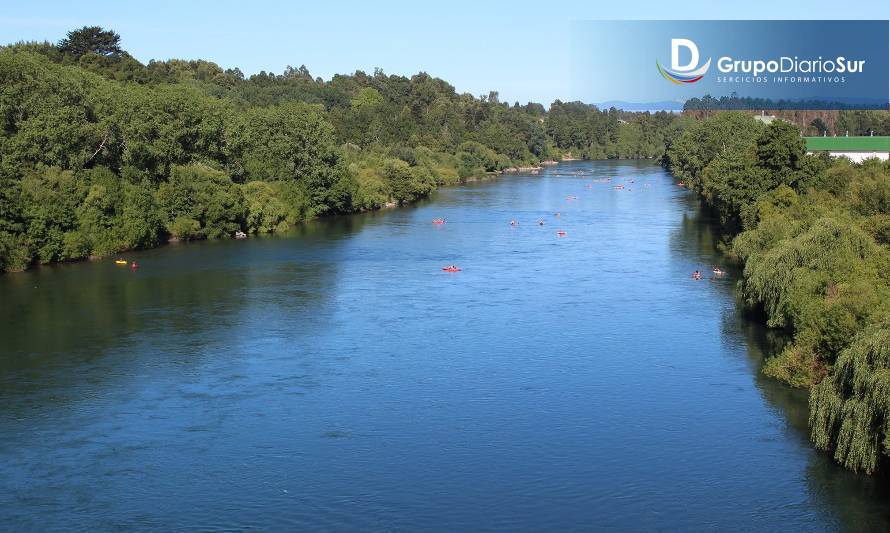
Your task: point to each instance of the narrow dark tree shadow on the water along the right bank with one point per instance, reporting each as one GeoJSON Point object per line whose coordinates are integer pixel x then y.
{"type": "Point", "coordinates": [851, 499]}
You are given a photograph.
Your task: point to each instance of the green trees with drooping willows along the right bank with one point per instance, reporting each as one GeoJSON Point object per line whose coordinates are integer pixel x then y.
{"type": "Point", "coordinates": [813, 235]}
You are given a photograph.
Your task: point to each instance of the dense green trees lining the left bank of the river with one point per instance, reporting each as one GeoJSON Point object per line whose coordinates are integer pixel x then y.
{"type": "Point", "coordinates": [100, 154]}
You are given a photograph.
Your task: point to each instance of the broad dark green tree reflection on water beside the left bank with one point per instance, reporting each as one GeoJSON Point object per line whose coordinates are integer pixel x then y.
{"type": "Point", "coordinates": [59, 320]}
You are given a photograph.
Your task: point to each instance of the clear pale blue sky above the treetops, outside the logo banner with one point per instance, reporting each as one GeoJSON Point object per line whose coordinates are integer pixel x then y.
{"type": "Point", "coordinates": [521, 48]}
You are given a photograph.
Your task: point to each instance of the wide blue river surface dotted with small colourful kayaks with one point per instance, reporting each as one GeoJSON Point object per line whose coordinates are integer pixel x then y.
{"type": "Point", "coordinates": [335, 378]}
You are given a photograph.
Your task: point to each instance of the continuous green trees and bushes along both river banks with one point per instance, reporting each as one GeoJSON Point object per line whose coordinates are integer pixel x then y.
{"type": "Point", "coordinates": [100, 154]}
